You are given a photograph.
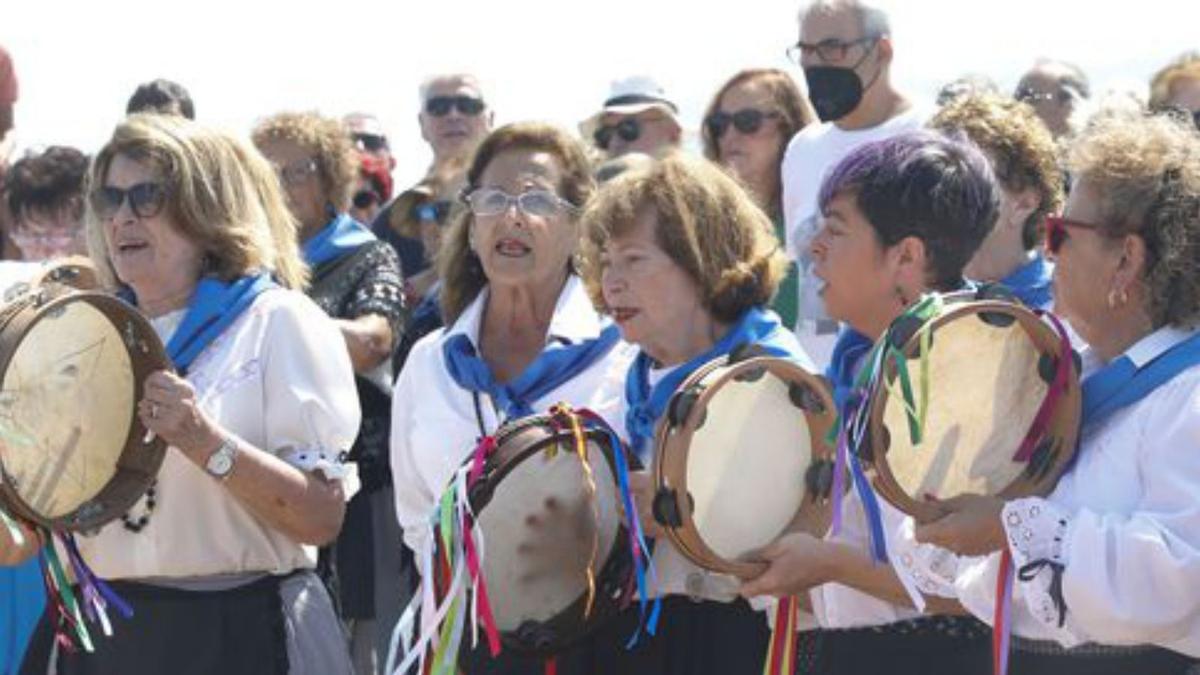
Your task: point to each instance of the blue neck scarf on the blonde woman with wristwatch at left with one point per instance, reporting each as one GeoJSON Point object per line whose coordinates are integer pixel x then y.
{"type": "Point", "coordinates": [214, 307]}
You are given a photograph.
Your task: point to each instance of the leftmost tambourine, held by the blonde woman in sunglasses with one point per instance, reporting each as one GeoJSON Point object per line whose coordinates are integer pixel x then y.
{"type": "Point", "coordinates": [73, 451]}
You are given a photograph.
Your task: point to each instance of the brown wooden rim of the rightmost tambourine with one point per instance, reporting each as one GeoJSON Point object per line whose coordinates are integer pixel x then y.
{"type": "Point", "coordinates": [1064, 427]}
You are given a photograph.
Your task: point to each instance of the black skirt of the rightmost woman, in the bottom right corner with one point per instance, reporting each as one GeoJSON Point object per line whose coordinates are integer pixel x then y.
{"type": "Point", "coordinates": [1034, 658]}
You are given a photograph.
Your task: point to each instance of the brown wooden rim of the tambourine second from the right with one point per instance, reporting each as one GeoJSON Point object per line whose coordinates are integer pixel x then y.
{"type": "Point", "coordinates": [675, 435]}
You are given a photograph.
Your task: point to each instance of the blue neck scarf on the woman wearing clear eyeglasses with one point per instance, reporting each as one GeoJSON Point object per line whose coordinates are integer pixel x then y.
{"type": "Point", "coordinates": [555, 366]}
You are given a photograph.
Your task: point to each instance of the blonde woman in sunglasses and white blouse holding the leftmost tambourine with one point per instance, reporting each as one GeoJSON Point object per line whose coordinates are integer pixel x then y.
{"type": "Point", "coordinates": [218, 558]}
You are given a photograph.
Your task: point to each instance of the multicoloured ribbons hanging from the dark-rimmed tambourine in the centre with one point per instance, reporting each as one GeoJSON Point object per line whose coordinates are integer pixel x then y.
{"type": "Point", "coordinates": [453, 592]}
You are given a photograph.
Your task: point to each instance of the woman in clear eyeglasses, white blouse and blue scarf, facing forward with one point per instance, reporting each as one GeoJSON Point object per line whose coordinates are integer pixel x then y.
{"type": "Point", "coordinates": [521, 333]}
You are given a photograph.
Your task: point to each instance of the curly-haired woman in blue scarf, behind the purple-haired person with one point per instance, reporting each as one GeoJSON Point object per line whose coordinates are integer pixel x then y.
{"type": "Point", "coordinates": [1024, 160]}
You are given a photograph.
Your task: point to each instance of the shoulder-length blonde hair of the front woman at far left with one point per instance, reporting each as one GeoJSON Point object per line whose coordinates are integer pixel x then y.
{"type": "Point", "coordinates": [221, 194]}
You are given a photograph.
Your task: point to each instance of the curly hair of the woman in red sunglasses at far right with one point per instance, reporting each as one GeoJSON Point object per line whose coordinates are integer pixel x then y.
{"type": "Point", "coordinates": [1147, 172]}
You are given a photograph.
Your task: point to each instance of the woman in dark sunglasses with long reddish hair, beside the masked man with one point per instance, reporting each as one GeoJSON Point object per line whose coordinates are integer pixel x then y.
{"type": "Point", "coordinates": [747, 129]}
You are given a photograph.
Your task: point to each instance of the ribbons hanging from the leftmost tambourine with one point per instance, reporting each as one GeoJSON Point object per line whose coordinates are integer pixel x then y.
{"type": "Point", "coordinates": [70, 614]}
